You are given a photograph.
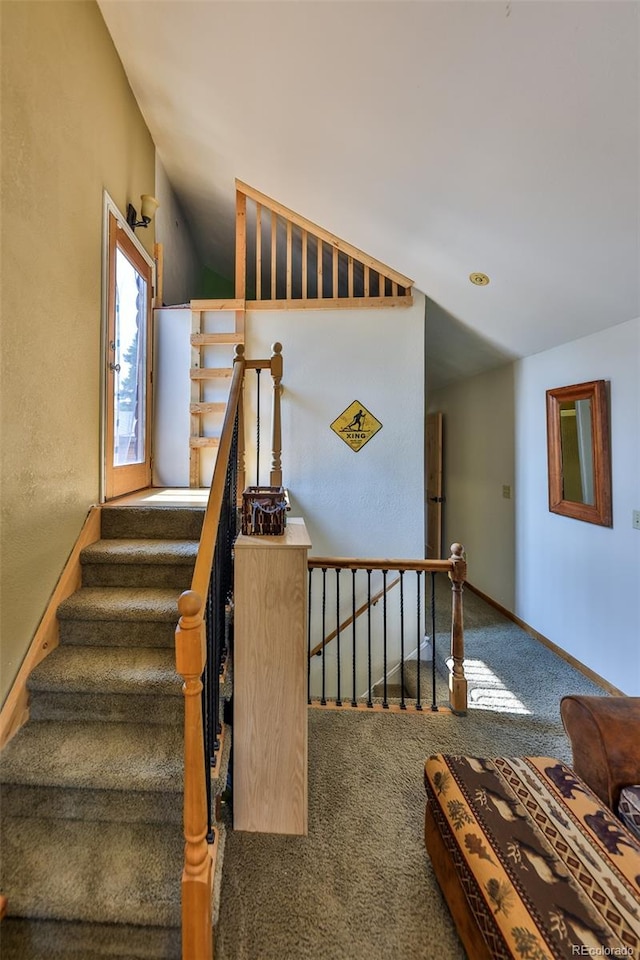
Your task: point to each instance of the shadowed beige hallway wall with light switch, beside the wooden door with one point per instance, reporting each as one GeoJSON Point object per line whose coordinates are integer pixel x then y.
{"type": "Point", "coordinates": [479, 430]}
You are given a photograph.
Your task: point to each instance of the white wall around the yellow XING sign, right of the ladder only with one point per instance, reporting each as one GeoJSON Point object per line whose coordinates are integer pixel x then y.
{"type": "Point", "coordinates": [368, 503]}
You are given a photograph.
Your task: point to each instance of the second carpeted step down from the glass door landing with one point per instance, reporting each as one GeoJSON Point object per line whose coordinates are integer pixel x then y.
{"type": "Point", "coordinates": [145, 563]}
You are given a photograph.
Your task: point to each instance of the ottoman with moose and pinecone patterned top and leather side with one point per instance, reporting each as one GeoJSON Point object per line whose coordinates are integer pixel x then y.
{"type": "Point", "coordinates": [547, 870]}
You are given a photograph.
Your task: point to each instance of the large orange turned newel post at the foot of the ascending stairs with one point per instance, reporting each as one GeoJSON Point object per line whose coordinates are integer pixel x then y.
{"type": "Point", "coordinates": [197, 879]}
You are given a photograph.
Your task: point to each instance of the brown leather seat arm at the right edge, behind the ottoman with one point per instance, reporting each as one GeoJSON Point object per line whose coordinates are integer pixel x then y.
{"type": "Point", "coordinates": [605, 740]}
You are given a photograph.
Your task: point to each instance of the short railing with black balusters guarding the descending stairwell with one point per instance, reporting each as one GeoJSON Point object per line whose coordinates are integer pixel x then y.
{"type": "Point", "coordinates": [357, 649]}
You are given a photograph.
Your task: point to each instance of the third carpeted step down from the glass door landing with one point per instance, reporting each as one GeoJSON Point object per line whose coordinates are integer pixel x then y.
{"type": "Point", "coordinates": [120, 616]}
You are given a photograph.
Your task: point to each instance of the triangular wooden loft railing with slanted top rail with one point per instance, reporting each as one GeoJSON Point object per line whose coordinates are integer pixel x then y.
{"type": "Point", "coordinates": [284, 261]}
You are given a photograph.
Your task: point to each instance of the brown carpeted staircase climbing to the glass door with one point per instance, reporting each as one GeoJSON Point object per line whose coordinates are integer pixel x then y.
{"type": "Point", "coordinates": [92, 786]}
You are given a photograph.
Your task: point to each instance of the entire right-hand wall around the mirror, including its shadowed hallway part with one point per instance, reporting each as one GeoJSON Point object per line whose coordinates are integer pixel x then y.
{"type": "Point", "coordinates": [574, 582]}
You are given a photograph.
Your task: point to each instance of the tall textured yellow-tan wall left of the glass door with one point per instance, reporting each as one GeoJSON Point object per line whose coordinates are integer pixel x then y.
{"type": "Point", "coordinates": [70, 128]}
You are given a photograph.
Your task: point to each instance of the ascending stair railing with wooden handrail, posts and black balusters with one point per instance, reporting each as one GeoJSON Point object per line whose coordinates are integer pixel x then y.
{"type": "Point", "coordinates": [203, 640]}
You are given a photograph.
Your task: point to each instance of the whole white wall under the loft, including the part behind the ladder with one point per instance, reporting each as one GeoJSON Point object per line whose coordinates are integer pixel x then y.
{"type": "Point", "coordinates": [368, 503]}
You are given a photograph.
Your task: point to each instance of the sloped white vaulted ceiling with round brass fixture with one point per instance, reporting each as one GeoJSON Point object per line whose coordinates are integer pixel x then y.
{"type": "Point", "coordinates": [442, 137]}
